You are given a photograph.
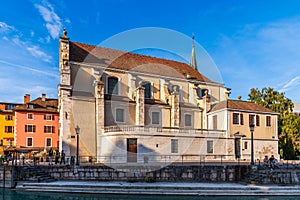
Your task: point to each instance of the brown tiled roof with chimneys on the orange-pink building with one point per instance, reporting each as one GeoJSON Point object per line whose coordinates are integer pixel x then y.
{"type": "Point", "coordinates": [49, 105]}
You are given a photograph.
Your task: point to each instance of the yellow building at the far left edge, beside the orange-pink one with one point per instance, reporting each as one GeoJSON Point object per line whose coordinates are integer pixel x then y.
{"type": "Point", "coordinates": [7, 124]}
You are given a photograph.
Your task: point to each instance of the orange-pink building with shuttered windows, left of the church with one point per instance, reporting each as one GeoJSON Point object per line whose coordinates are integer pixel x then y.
{"type": "Point", "coordinates": [36, 123]}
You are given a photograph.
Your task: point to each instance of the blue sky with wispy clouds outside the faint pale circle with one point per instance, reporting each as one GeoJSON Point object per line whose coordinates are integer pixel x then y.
{"type": "Point", "coordinates": [253, 43]}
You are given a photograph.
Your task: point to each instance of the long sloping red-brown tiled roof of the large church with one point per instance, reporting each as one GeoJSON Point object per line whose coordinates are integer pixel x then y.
{"type": "Point", "coordinates": [129, 61]}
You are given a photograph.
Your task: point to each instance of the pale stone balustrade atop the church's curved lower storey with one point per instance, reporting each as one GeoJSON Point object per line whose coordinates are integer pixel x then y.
{"type": "Point", "coordinates": [146, 129]}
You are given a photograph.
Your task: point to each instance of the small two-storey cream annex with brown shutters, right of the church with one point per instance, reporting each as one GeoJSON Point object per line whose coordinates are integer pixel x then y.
{"type": "Point", "coordinates": [235, 116]}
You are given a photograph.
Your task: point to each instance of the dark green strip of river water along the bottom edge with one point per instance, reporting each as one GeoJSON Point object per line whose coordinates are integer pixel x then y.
{"type": "Point", "coordinates": [21, 195]}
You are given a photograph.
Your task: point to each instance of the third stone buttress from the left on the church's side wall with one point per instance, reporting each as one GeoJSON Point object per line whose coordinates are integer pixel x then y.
{"type": "Point", "coordinates": [175, 108]}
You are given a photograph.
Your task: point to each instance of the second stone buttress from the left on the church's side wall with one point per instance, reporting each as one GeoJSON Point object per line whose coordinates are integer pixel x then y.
{"type": "Point", "coordinates": [140, 105]}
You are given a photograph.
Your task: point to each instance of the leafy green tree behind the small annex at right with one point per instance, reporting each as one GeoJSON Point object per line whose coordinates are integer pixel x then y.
{"type": "Point", "coordinates": [288, 123]}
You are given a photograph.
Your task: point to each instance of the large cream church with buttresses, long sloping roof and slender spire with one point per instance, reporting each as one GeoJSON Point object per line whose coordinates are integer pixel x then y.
{"type": "Point", "coordinates": [133, 108]}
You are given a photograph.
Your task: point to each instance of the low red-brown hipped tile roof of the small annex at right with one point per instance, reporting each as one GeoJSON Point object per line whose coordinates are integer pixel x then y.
{"type": "Point", "coordinates": [240, 105]}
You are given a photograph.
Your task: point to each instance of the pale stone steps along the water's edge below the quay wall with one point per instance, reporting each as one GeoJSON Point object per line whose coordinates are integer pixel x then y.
{"type": "Point", "coordinates": [161, 188]}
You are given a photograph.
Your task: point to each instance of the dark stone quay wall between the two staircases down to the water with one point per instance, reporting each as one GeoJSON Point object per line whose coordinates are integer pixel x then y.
{"type": "Point", "coordinates": [132, 173]}
